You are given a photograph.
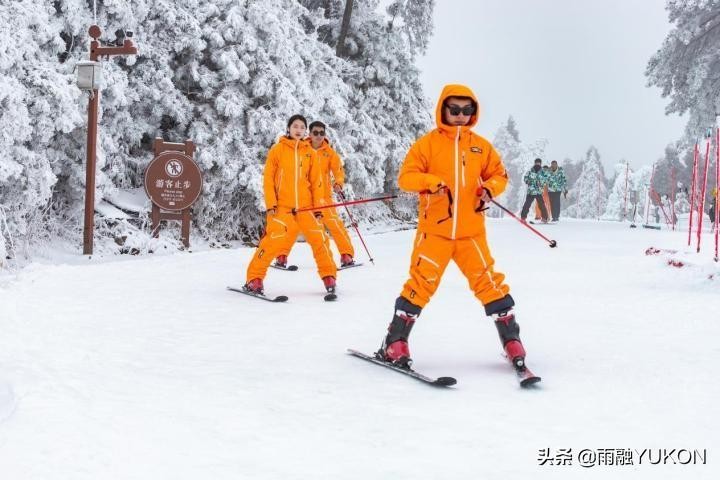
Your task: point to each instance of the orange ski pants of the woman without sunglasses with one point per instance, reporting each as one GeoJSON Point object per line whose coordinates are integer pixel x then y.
{"type": "Point", "coordinates": [284, 225]}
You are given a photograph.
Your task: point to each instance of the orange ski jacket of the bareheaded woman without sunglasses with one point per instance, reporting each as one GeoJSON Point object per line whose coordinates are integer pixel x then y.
{"type": "Point", "coordinates": [291, 179]}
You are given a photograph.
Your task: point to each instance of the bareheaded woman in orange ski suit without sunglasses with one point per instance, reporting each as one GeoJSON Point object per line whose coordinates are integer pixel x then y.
{"type": "Point", "coordinates": [292, 182]}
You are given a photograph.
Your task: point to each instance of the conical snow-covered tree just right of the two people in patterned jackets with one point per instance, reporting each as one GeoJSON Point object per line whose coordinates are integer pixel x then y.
{"type": "Point", "coordinates": [587, 198]}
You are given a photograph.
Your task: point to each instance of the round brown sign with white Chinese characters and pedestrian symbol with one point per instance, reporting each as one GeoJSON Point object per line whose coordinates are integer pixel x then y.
{"type": "Point", "coordinates": [173, 181]}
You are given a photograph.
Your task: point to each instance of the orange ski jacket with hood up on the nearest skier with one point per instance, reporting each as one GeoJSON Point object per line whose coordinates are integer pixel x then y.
{"type": "Point", "coordinates": [462, 161]}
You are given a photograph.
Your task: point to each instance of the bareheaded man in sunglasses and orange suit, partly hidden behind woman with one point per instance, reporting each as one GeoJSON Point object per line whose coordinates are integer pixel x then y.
{"type": "Point", "coordinates": [328, 162]}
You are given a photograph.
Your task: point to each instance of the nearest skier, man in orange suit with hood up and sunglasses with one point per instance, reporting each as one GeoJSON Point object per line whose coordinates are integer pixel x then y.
{"type": "Point", "coordinates": [456, 173]}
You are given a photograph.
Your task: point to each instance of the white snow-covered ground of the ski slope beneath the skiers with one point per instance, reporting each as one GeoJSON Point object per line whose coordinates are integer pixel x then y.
{"type": "Point", "coordinates": [147, 368]}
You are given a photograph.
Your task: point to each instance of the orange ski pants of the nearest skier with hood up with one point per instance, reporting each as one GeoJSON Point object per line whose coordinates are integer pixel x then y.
{"type": "Point", "coordinates": [431, 255]}
